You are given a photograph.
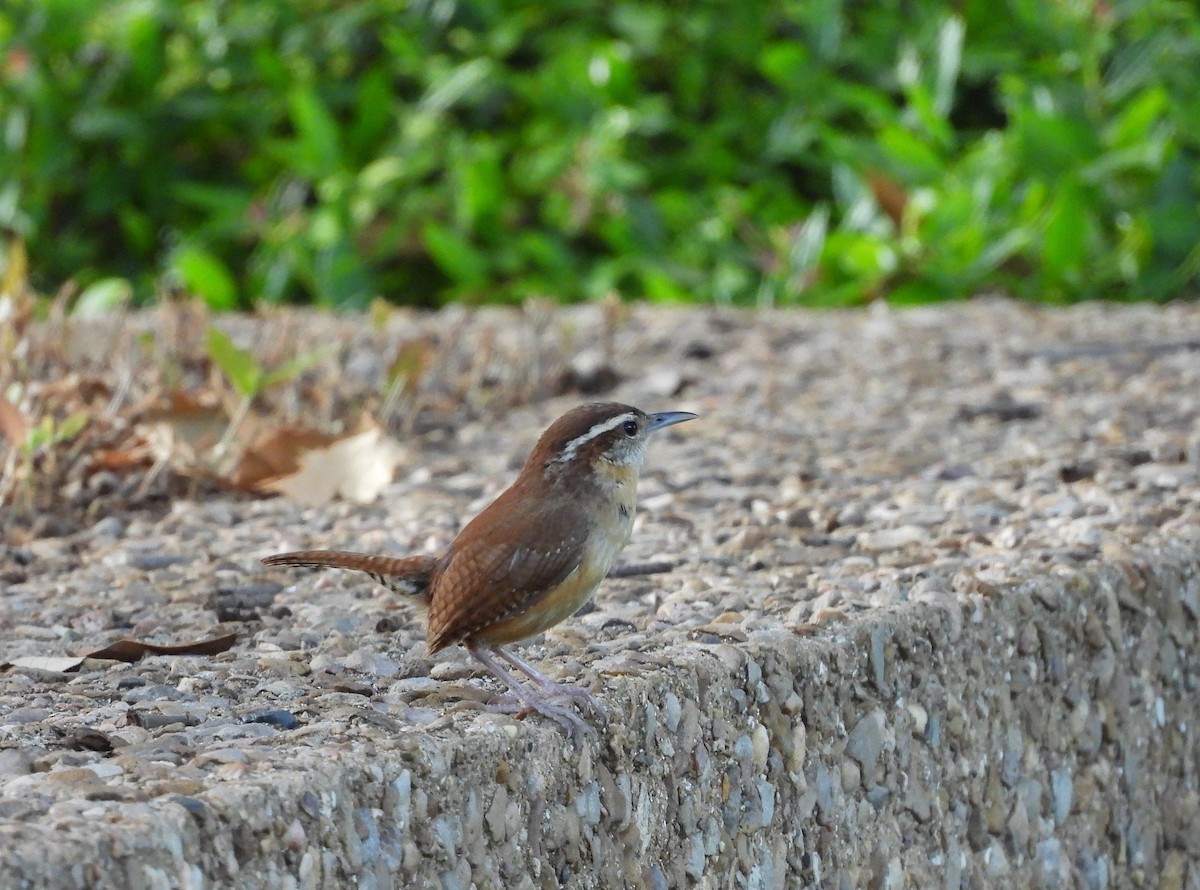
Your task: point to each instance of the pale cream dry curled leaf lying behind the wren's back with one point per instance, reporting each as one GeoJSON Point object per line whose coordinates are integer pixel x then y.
{"type": "Point", "coordinates": [357, 468]}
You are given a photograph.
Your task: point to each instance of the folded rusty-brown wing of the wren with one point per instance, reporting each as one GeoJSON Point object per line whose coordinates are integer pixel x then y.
{"type": "Point", "coordinates": [502, 564]}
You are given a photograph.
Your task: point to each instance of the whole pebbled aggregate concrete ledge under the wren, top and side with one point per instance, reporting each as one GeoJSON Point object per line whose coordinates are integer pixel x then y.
{"type": "Point", "coordinates": [932, 623]}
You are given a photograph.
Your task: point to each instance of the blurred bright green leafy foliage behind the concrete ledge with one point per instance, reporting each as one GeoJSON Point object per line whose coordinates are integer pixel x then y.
{"type": "Point", "coordinates": [817, 152]}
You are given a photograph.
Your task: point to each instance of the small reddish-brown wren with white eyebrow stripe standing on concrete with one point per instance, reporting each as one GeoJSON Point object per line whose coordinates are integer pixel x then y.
{"type": "Point", "coordinates": [533, 557]}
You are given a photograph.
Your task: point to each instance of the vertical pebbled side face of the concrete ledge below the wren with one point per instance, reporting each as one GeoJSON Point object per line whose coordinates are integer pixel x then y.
{"type": "Point", "coordinates": [1041, 736]}
